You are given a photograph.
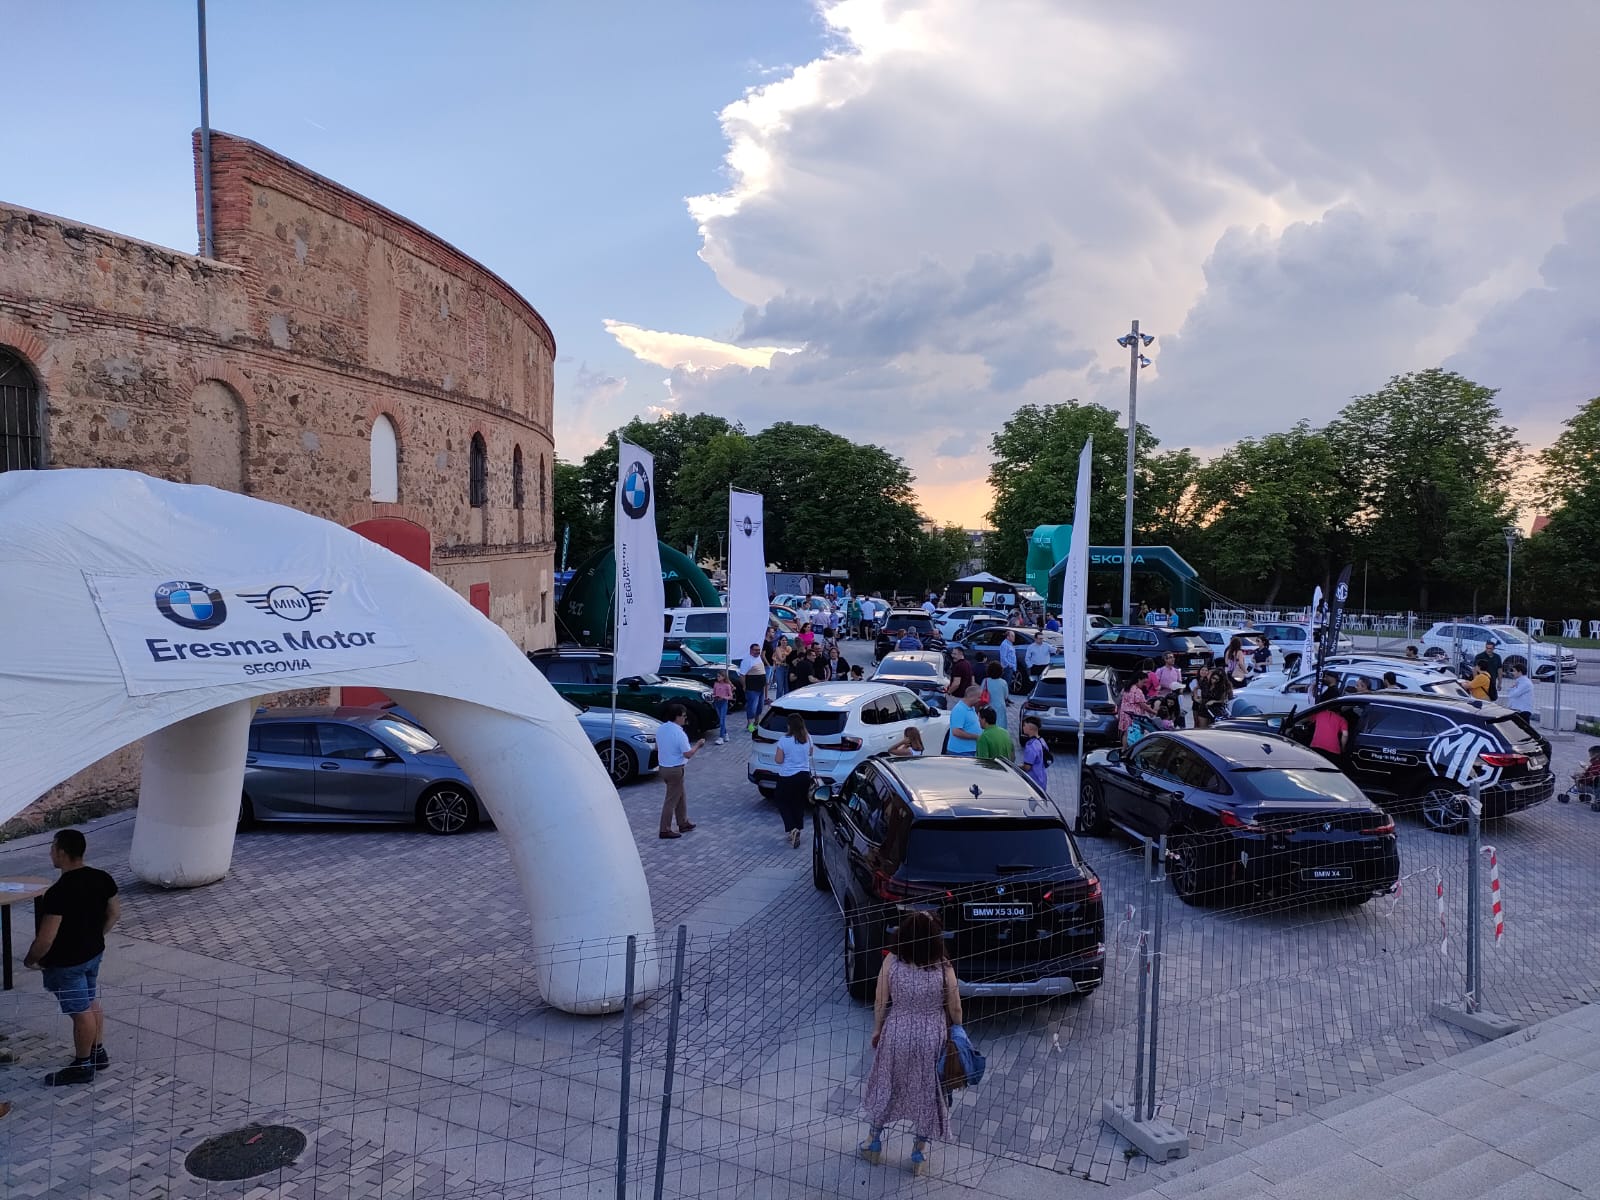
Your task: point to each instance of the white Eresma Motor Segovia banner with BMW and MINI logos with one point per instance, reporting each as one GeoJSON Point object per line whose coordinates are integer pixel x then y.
{"type": "Point", "coordinates": [182, 634]}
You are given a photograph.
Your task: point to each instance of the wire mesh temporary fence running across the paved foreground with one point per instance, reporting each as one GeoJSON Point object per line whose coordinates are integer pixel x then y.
{"type": "Point", "coordinates": [446, 1076]}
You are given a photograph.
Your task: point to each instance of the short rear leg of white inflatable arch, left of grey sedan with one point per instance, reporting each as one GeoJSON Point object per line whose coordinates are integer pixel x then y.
{"type": "Point", "coordinates": [190, 790]}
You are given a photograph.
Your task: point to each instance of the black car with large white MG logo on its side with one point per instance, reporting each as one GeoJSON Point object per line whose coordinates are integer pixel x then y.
{"type": "Point", "coordinates": [1410, 751]}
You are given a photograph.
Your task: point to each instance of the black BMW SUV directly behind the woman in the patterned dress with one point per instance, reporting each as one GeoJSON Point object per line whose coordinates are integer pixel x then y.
{"type": "Point", "coordinates": [980, 846]}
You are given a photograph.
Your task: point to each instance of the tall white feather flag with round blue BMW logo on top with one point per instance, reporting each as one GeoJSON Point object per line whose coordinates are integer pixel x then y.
{"type": "Point", "coordinates": [641, 593]}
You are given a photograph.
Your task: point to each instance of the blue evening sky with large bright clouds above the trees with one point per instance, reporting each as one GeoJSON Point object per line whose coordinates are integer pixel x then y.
{"type": "Point", "coordinates": [905, 218]}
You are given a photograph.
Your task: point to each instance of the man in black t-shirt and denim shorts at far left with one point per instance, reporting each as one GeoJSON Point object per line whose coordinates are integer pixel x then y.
{"type": "Point", "coordinates": [74, 919]}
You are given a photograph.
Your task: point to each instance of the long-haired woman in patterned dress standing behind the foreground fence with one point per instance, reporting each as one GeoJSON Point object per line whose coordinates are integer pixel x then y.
{"type": "Point", "coordinates": [918, 1004]}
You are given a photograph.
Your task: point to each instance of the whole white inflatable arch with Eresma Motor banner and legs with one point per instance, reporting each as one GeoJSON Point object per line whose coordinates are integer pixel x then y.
{"type": "Point", "coordinates": [132, 609]}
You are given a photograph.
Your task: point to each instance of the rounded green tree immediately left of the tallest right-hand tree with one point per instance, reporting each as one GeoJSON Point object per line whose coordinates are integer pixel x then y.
{"type": "Point", "coordinates": [1276, 511]}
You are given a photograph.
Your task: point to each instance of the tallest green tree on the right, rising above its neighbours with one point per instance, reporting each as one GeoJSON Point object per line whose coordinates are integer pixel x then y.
{"type": "Point", "coordinates": [1431, 460]}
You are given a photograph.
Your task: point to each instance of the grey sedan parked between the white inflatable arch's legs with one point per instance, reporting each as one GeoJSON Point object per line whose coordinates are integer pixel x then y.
{"type": "Point", "coordinates": [353, 766]}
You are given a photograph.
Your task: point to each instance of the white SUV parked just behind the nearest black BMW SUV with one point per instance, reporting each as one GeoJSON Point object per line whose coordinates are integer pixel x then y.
{"type": "Point", "coordinates": [847, 722]}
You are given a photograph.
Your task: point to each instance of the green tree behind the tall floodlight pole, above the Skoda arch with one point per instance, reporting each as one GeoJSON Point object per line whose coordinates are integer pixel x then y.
{"type": "Point", "coordinates": [1036, 474]}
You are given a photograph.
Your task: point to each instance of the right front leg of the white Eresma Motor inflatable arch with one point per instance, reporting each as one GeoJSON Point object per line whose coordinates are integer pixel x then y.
{"type": "Point", "coordinates": [570, 846]}
